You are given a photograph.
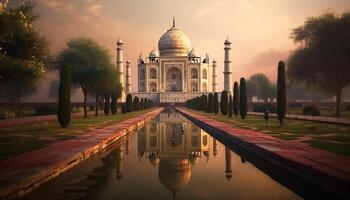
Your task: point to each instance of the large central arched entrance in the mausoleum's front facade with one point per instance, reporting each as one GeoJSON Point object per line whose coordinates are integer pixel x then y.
{"type": "Point", "coordinates": [173, 80]}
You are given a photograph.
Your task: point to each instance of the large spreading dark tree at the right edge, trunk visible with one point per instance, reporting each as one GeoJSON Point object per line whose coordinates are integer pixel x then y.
{"type": "Point", "coordinates": [322, 59]}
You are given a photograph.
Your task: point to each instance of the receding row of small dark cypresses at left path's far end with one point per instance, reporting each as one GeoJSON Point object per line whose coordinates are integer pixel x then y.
{"type": "Point", "coordinates": [136, 104]}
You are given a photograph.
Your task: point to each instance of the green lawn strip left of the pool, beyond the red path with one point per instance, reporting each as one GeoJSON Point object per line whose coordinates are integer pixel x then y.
{"type": "Point", "coordinates": [19, 139]}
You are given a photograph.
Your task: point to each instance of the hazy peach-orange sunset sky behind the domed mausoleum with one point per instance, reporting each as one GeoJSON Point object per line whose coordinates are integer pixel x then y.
{"type": "Point", "coordinates": [259, 30]}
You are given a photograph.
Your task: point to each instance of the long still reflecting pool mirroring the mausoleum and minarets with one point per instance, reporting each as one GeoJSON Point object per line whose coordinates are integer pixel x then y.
{"type": "Point", "coordinates": [169, 158]}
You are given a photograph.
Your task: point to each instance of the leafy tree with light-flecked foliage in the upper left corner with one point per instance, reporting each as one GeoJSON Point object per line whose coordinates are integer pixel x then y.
{"type": "Point", "coordinates": [24, 54]}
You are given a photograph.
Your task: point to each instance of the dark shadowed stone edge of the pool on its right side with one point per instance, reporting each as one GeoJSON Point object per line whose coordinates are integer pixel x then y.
{"type": "Point", "coordinates": [336, 185]}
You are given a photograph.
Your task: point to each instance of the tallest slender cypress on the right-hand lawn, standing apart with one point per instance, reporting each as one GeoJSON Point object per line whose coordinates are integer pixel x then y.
{"type": "Point", "coordinates": [281, 93]}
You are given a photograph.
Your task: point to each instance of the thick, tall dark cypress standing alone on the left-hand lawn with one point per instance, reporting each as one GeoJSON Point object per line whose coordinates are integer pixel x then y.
{"type": "Point", "coordinates": [64, 106]}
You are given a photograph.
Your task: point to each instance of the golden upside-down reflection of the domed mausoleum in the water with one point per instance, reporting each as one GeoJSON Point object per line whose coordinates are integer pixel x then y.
{"type": "Point", "coordinates": [172, 149]}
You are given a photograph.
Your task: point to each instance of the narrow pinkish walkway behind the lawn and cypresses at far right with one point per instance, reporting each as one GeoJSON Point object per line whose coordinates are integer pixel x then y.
{"type": "Point", "coordinates": [324, 119]}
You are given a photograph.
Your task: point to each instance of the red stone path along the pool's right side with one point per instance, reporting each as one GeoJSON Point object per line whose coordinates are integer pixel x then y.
{"type": "Point", "coordinates": [324, 165]}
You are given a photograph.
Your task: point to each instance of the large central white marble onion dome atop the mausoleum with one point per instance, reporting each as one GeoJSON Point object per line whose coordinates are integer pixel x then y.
{"type": "Point", "coordinates": [174, 43]}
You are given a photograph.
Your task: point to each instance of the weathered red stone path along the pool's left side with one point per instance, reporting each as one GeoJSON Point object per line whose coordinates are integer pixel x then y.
{"type": "Point", "coordinates": [20, 174]}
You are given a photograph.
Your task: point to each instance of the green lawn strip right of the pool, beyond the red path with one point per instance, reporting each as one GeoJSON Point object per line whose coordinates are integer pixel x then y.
{"type": "Point", "coordinates": [330, 137]}
